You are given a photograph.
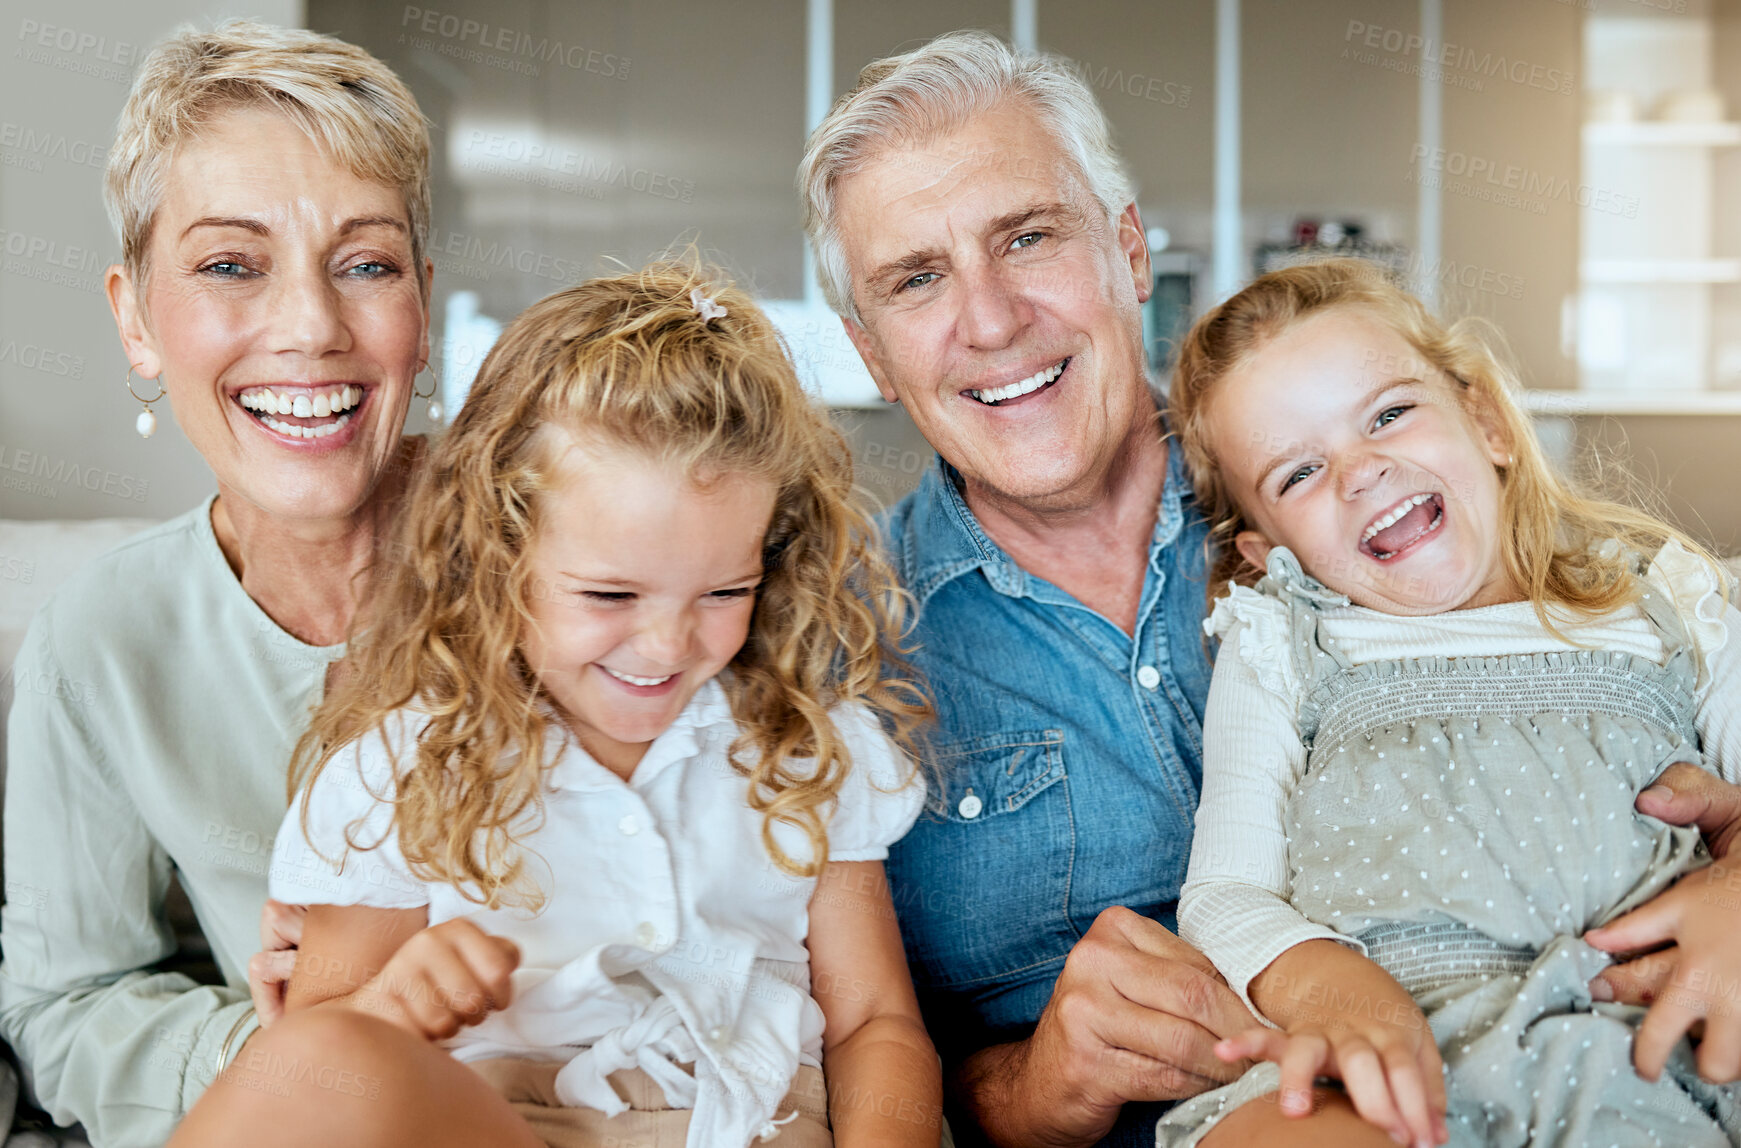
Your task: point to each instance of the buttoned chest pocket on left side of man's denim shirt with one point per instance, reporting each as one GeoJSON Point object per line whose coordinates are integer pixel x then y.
{"type": "Point", "coordinates": [983, 882]}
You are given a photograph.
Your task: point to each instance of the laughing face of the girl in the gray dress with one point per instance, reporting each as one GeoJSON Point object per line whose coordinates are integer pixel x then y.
{"type": "Point", "coordinates": [1341, 443]}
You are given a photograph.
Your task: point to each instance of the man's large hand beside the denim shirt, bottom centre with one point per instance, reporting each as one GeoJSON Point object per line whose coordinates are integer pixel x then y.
{"type": "Point", "coordinates": [1136, 1016]}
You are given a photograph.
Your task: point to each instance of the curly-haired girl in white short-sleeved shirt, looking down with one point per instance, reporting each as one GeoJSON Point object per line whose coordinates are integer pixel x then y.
{"type": "Point", "coordinates": [591, 830]}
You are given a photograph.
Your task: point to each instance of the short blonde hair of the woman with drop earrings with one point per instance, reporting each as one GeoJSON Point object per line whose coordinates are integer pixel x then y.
{"type": "Point", "coordinates": [349, 102]}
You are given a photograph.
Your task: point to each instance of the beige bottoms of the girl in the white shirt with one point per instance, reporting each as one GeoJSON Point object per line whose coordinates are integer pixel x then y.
{"type": "Point", "coordinates": [650, 1123]}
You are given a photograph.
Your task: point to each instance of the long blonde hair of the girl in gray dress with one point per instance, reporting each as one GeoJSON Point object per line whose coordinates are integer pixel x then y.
{"type": "Point", "coordinates": [1554, 532]}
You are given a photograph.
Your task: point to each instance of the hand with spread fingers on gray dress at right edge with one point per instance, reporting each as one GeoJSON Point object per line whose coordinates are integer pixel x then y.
{"type": "Point", "coordinates": [1702, 915]}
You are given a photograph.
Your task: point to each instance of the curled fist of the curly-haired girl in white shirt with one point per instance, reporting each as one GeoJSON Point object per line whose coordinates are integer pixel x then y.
{"type": "Point", "coordinates": [445, 978]}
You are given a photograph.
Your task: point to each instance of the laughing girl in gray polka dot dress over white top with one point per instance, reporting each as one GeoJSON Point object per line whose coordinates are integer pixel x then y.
{"type": "Point", "coordinates": [1423, 743]}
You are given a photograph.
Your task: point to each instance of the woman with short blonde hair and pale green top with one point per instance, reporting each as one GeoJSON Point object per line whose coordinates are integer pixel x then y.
{"type": "Point", "coordinates": [271, 191]}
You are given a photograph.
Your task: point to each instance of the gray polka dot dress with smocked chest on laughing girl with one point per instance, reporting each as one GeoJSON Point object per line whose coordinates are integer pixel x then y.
{"type": "Point", "coordinates": [1469, 820]}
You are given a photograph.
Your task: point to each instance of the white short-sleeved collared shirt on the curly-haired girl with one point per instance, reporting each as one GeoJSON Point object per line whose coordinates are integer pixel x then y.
{"type": "Point", "coordinates": [668, 933]}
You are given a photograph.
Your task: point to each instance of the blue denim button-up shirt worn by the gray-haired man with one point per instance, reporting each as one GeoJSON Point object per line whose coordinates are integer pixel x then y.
{"type": "Point", "coordinates": [1068, 759]}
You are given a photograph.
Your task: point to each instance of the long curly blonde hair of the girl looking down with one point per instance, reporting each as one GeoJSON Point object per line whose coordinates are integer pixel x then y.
{"type": "Point", "coordinates": [629, 361]}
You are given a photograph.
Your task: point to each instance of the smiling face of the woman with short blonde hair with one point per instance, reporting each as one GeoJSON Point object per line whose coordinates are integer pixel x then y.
{"type": "Point", "coordinates": [283, 313]}
